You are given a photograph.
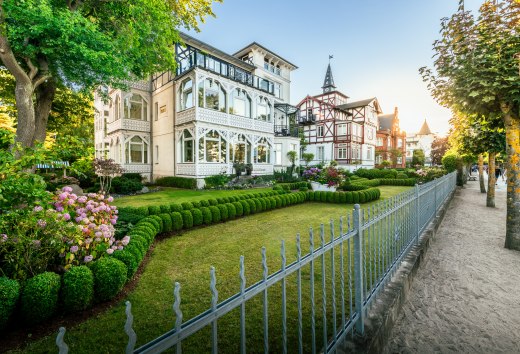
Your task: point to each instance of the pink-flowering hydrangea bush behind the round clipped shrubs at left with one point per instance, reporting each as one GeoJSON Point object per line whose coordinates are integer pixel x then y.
{"type": "Point", "coordinates": [71, 230]}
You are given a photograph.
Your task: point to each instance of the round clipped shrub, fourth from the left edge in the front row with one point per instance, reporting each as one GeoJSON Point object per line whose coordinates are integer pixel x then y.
{"type": "Point", "coordinates": [109, 278]}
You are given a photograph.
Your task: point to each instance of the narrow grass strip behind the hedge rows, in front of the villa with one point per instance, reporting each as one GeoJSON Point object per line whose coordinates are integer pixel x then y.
{"type": "Point", "coordinates": [175, 195]}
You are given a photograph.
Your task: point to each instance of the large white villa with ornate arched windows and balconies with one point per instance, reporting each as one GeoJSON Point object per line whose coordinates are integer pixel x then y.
{"type": "Point", "coordinates": [215, 110]}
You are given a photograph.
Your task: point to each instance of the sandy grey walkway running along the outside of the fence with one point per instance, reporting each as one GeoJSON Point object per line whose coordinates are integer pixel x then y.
{"type": "Point", "coordinates": [466, 295]}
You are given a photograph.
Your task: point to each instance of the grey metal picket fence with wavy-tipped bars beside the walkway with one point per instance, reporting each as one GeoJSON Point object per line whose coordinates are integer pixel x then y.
{"type": "Point", "coordinates": [352, 268]}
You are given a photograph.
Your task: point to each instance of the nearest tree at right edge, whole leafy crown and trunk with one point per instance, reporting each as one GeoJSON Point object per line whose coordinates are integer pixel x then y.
{"type": "Point", "coordinates": [476, 72]}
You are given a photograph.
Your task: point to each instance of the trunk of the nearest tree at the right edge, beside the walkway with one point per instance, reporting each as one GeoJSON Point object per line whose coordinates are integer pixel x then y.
{"type": "Point", "coordinates": [512, 123]}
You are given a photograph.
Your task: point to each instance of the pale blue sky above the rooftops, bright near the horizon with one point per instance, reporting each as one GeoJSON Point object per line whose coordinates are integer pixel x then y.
{"type": "Point", "coordinates": [378, 47]}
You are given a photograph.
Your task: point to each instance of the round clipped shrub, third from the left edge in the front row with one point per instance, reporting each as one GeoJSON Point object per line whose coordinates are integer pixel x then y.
{"type": "Point", "coordinates": [77, 291]}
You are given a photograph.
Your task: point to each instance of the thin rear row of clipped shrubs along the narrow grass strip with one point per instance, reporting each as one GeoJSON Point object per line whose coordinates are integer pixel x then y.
{"type": "Point", "coordinates": [134, 214]}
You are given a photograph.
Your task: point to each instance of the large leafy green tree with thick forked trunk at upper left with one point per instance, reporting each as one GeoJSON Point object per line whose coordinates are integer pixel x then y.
{"type": "Point", "coordinates": [84, 44]}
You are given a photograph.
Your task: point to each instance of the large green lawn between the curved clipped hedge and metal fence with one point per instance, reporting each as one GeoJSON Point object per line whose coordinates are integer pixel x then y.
{"type": "Point", "coordinates": [187, 259]}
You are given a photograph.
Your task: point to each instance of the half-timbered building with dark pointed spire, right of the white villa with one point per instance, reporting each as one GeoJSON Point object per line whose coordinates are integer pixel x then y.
{"type": "Point", "coordinates": [338, 130]}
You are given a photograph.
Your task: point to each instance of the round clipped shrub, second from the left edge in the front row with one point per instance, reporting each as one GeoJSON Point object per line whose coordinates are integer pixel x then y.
{"type": "Point", "coordinates": [40, 297]}
